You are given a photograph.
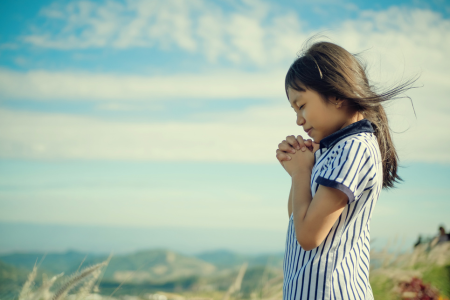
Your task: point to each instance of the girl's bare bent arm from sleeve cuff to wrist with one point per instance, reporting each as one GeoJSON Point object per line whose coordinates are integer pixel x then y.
{"type": "Point", "coordinates": [313, 218]}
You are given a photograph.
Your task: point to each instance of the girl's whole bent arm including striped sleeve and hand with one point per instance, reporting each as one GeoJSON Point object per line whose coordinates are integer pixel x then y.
{"type": "Point", "coordinates": [314, 218]}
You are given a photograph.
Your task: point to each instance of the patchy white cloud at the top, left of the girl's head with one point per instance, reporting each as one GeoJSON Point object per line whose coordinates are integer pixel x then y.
{"type": "Point", "coordinates": [247, 34]}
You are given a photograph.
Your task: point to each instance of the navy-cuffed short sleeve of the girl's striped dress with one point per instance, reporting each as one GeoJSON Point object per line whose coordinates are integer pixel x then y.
{"type": "Point", "coordinates": [349, 168]}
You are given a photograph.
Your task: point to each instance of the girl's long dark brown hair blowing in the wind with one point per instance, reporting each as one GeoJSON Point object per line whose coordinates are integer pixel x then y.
{"type": "Point", "coordinates": [331, 70]}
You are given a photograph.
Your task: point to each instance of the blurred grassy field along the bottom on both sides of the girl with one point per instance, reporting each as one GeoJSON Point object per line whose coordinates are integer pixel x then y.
{"type": "Point", "coordinates": [423, 273]}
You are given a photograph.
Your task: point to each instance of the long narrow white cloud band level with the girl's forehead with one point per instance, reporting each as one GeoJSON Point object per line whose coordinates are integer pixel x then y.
{"type": "Point", "coordinates": [45, 85]}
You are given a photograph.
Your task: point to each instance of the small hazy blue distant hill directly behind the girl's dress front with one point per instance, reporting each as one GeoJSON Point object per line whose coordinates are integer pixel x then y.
{"type": "Point", "coordinates": [227, 259]}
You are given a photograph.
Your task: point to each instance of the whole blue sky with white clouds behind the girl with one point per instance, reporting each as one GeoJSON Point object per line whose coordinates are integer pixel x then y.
{"type": "Point", "coordinates": [165, 116]}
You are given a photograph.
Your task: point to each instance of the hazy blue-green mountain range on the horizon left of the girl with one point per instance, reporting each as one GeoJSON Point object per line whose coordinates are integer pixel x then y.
{"type": "Point", "coordinates": [155, 266]}
